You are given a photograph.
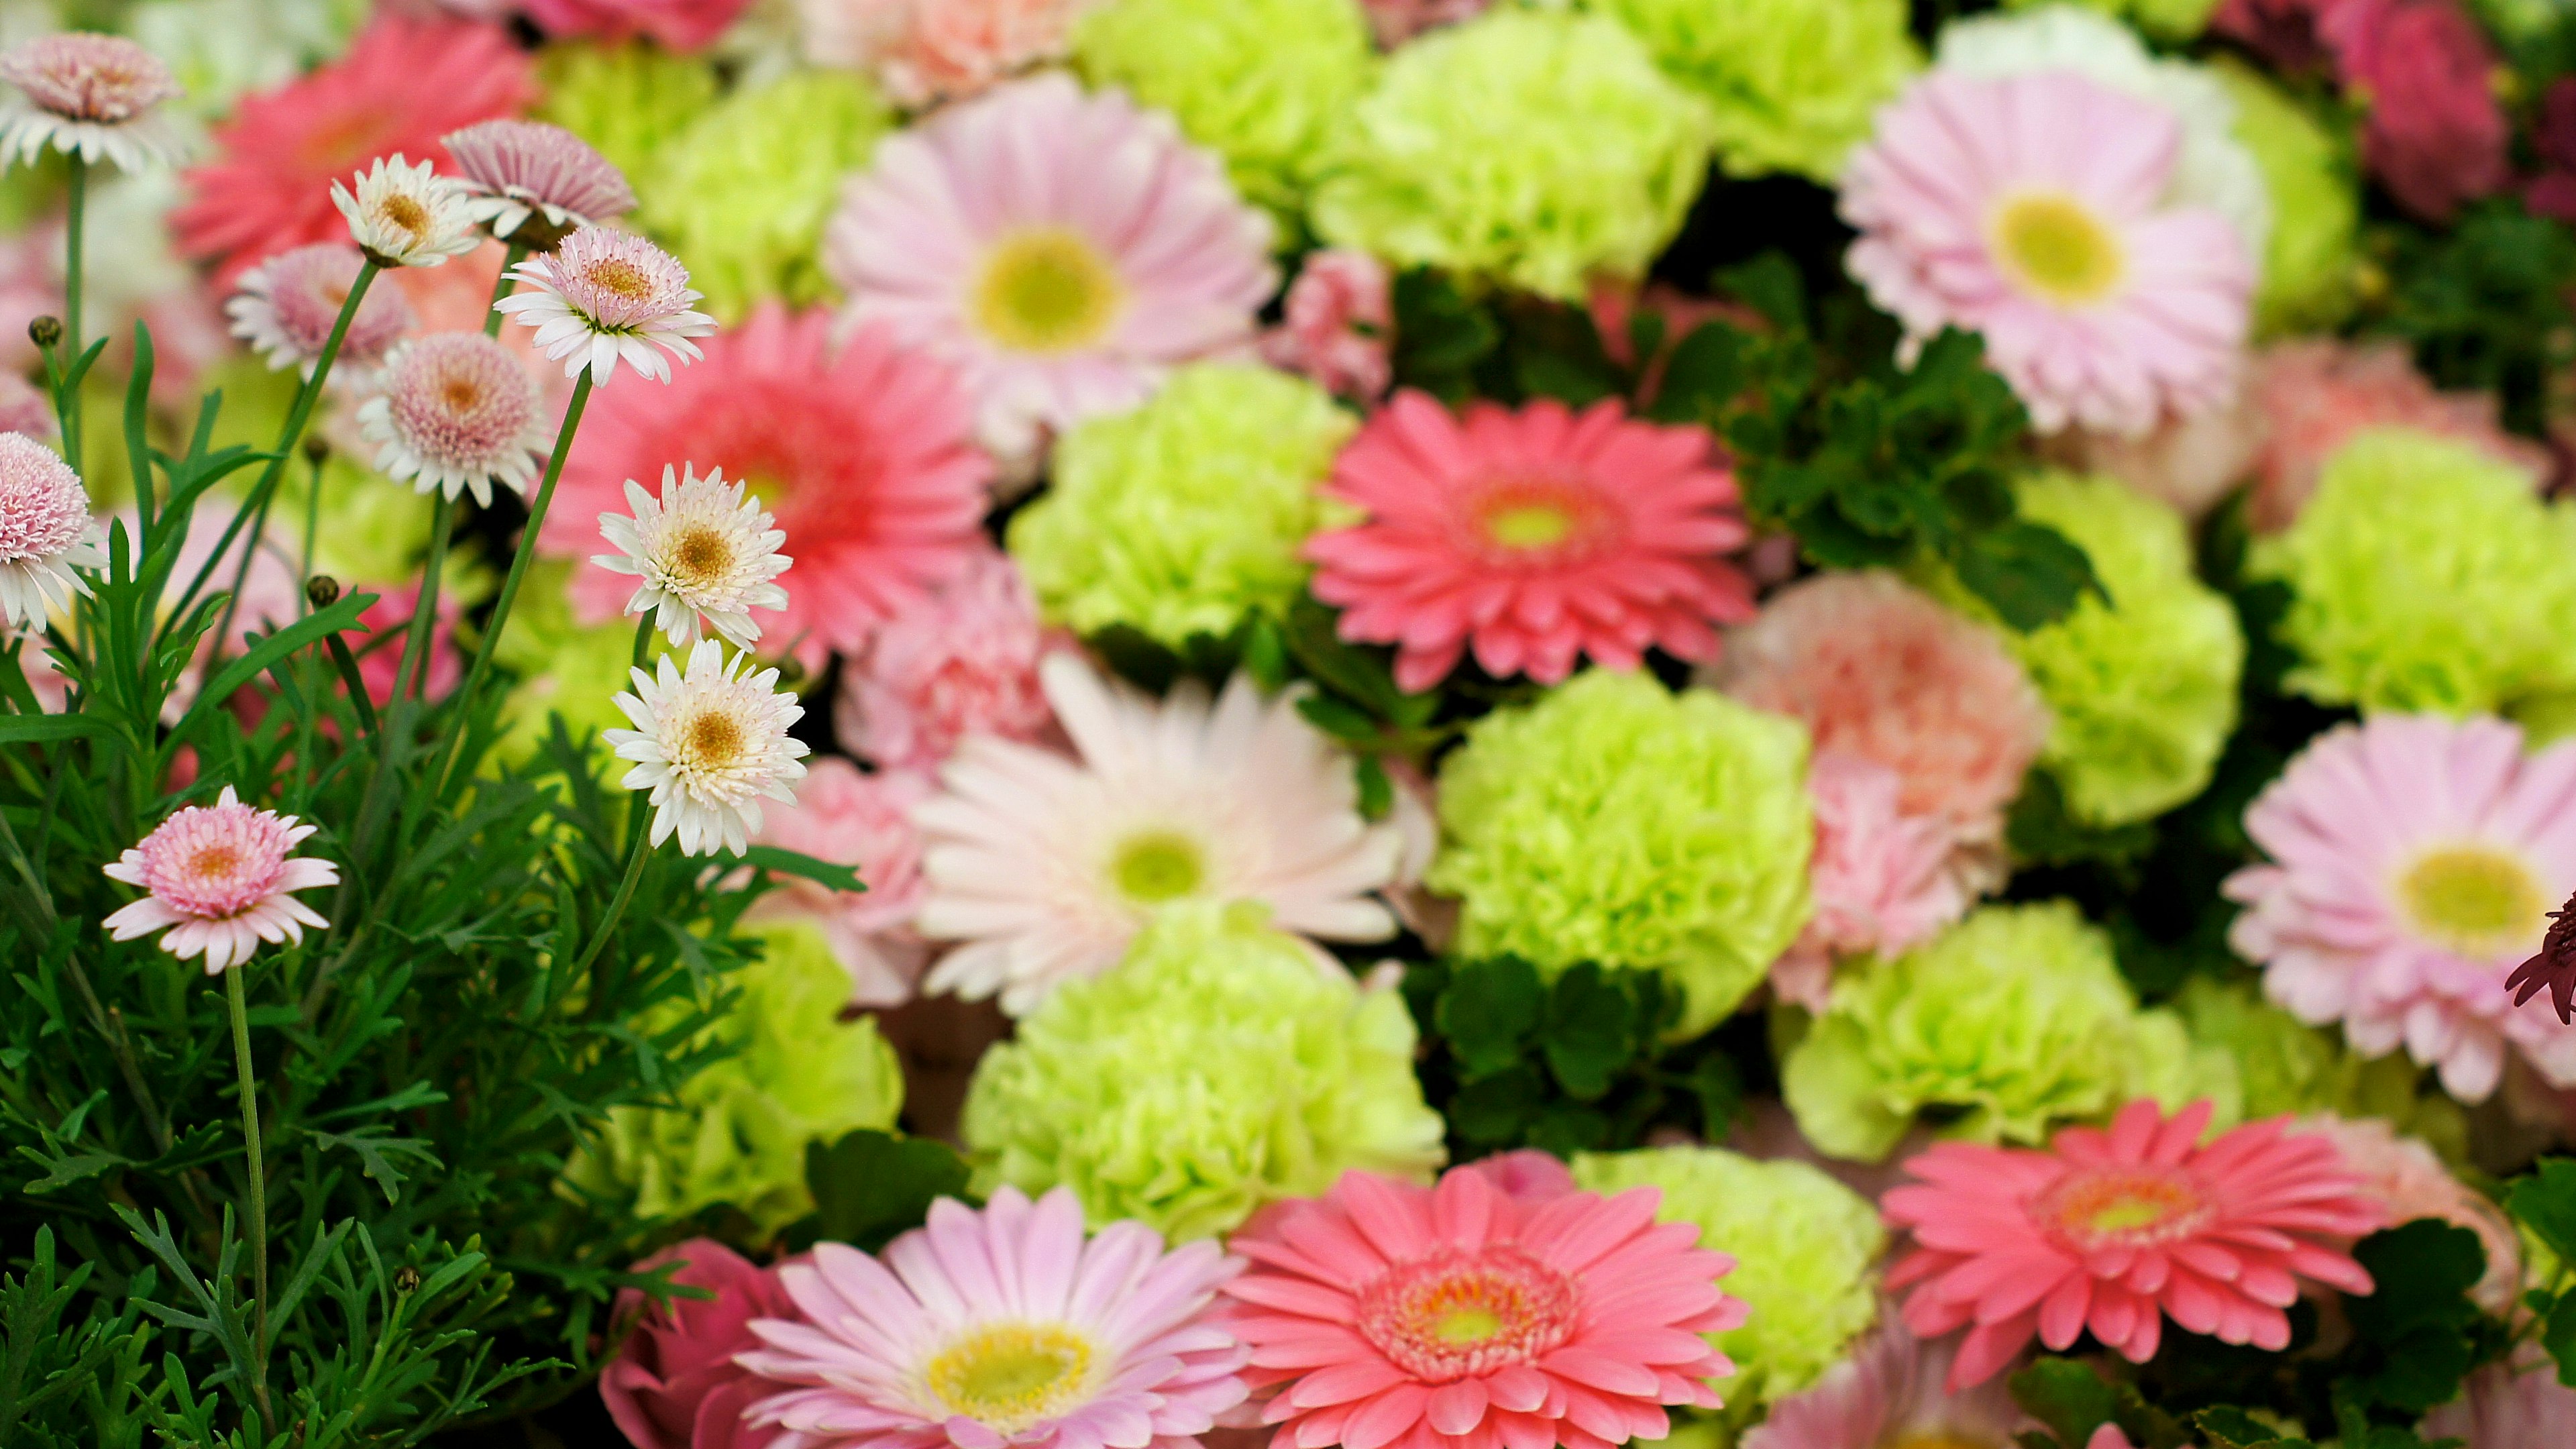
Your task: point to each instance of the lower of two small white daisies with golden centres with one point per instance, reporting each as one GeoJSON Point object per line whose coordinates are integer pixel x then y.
{"type": "Point", "coordinates": [710, 744]}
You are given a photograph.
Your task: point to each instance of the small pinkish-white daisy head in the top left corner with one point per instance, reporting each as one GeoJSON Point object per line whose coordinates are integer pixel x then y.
{"type": "Point", "coordinates": [89, 97]}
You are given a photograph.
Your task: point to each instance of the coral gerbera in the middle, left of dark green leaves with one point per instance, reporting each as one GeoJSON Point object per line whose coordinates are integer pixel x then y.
{"type": "Point", "coordinates": [1531, 538]}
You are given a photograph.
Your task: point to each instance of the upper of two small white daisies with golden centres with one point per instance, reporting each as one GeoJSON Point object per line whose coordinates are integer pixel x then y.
{"type": "Point", "coordinates": [707, 556]}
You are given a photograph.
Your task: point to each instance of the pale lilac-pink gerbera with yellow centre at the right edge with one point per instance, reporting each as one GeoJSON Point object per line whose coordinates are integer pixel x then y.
{"type": "Point", "coordinates": [2412, 870]}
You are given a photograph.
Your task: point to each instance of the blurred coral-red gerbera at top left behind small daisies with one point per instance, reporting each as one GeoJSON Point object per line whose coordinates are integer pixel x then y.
{"type": "Point", "coordinates": [401, 89]}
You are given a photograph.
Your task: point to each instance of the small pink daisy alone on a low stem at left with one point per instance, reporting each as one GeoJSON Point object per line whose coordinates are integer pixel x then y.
{"type": "Point", "coordinates": [220, 878]}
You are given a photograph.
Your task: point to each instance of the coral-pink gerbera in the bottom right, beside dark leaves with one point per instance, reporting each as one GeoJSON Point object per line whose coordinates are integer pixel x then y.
{"type": "Point", "coordinates": [2119, 1229]}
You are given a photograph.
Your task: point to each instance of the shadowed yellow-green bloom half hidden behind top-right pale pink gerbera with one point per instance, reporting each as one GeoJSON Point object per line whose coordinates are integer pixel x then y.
{"type": "Point", "coordinates": [2317, 205]}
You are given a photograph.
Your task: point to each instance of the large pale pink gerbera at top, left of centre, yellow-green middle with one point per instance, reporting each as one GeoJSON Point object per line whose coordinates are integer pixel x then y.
{"type": "Point", "coordinates": [1063, 251]}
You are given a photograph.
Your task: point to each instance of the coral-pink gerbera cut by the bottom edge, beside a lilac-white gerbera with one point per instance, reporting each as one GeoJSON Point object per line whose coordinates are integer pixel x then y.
{"type": "Point", "coordinates": [1464, 1316]}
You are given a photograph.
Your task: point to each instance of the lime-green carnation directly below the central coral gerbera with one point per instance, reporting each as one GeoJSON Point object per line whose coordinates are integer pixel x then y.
{"type": "Point", "coordinates": [1627, 826]}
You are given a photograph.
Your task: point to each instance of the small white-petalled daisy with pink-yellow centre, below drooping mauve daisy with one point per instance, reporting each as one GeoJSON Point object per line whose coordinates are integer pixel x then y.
{"type": "Point", "coordinates": [609, 298]}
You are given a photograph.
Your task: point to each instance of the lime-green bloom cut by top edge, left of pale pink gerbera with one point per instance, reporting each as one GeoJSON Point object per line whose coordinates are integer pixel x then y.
{"type": "Point", "coordinates": [1792, 84]}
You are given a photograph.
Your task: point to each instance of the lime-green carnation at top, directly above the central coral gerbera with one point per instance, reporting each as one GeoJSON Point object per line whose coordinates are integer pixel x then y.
{"type": "Point", "coordinates": [1524, 148]}
